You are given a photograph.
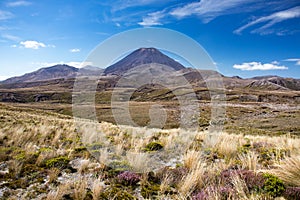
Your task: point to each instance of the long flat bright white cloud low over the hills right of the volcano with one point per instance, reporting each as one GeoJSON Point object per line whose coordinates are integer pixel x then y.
{"type": "Point", "coordinates": [259, 66]}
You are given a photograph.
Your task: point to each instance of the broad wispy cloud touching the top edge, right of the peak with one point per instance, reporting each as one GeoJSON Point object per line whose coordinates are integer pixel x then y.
{"type": "Point", "coordinates": [206, 9]}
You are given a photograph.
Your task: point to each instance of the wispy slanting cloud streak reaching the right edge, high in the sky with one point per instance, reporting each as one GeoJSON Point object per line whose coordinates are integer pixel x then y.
{"type": "Point", "coordinates": [271, 20]}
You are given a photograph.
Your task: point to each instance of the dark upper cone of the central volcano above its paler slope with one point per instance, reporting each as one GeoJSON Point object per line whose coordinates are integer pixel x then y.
{"type": "Point", "coordinates": [139, 57]}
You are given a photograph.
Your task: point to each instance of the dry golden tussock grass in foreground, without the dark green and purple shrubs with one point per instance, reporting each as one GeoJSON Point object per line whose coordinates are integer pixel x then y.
{"type": "Point", "coordinates": [24, 133]}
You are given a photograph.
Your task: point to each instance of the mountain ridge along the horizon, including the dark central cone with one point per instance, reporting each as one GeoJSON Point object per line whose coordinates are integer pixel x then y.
{"type": "Point", "coordinates": [143, 56]}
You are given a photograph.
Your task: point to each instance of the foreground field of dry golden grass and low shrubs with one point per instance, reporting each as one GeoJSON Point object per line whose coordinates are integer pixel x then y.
{"type": "Point", "coordinates": [44, 155]}
